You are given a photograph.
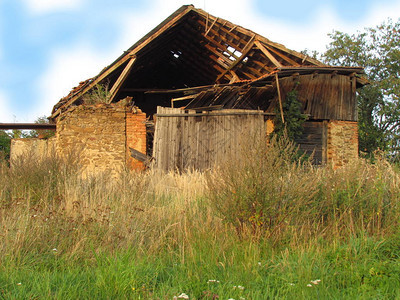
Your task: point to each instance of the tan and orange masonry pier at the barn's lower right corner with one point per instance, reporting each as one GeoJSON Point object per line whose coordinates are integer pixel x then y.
{"type": "Point", "coordinates": [342, 145]}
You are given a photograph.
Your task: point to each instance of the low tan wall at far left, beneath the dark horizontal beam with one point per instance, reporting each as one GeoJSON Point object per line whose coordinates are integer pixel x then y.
{"type": "Point", "coordinates": [32, 148]}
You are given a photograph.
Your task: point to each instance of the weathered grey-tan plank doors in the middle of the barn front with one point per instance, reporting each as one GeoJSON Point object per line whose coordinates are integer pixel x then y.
{"type": "Point", "coordinates": [200, 142]}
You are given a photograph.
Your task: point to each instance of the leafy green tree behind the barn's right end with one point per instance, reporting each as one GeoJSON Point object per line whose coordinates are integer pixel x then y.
{"type": "Point", "coordinates": [378, 51]}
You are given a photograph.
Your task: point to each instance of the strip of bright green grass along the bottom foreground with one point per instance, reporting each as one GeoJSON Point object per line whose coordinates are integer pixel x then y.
{"type": "Point", "coordinates": [360, 269]}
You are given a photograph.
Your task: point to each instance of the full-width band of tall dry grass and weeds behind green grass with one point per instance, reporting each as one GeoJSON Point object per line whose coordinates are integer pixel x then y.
{"type": "Point", "coordinates": [267, 194]}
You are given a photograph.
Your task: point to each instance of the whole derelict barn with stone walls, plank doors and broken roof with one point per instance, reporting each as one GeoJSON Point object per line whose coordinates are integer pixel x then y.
{"type": "Point", "coordinates": [189, 91]}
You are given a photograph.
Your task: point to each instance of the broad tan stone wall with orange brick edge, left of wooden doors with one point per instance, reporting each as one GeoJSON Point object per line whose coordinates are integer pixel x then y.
{"type": "Point", "coordinates": [97, 135]}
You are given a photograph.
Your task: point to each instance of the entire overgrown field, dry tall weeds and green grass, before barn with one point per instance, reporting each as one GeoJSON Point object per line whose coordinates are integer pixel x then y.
{"type": "Point", "coordinates": [264, 227]}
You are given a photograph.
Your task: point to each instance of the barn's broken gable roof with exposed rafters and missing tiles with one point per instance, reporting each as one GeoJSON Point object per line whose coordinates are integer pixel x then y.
{"type": "Point", "coordinates": [194, 49]}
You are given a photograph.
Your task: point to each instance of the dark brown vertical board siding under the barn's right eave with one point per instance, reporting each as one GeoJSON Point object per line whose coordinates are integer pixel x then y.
{"type": "Point", "coordinates": [323, 96]}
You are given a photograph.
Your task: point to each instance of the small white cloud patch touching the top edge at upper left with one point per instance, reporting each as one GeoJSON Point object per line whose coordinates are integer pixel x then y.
{"type": "Point", "coordinates": [45, 6]}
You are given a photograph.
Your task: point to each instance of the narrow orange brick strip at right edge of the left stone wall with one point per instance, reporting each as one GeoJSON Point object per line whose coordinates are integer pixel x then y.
{"type": "Point", "coordinates": [135, 137]}
